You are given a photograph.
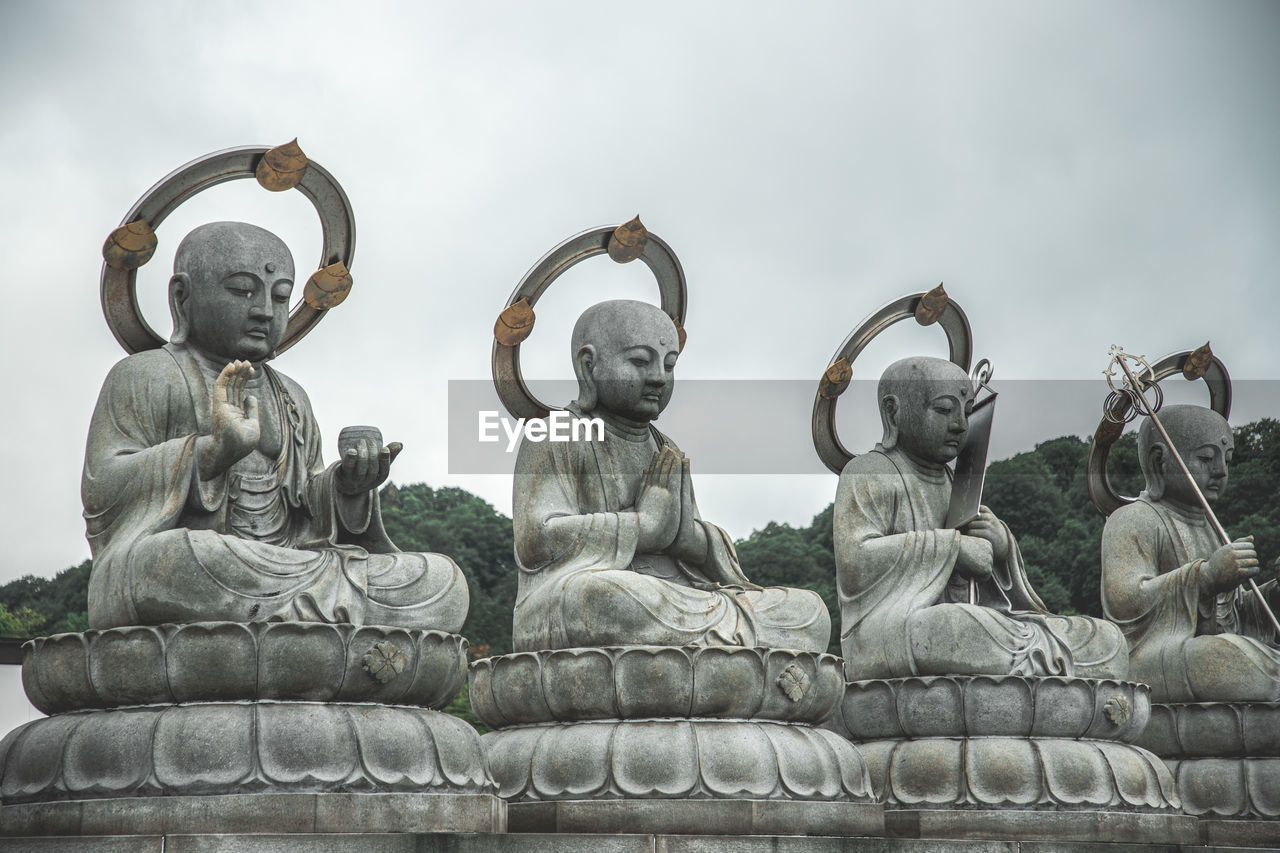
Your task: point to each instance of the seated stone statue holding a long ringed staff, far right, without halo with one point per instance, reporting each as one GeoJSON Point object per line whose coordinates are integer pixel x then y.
{"type": "Point", "coordinates": [1195, 635]}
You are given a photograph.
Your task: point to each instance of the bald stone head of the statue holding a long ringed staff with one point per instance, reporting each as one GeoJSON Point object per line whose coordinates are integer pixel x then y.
{"type": "Point", "coordinates": [1205, 443]}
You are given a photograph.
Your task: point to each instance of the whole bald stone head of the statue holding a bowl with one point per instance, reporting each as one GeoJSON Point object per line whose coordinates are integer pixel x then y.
{"type": "Point", "coordinates": [231, 289]}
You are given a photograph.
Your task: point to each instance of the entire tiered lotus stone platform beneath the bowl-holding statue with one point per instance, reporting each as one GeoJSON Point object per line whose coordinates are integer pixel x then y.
{"type": "Point", "coordinates": [221, 727]}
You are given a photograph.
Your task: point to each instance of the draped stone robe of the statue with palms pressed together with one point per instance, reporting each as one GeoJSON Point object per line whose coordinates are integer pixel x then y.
{"type": "Point", "coordinates": [584, 585]}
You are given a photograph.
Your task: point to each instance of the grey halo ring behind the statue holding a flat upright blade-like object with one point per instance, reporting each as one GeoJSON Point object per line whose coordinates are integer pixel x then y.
{"type": "Point", "coordinates": [953, 321]}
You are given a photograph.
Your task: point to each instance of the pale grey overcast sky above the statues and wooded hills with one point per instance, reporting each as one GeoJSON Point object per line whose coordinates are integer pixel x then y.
{"type": "Point", "coordinates": [1078, 174]}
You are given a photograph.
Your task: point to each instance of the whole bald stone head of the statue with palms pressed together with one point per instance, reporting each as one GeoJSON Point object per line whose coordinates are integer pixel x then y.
{"type": "Point", "coordinates": [625, 359]}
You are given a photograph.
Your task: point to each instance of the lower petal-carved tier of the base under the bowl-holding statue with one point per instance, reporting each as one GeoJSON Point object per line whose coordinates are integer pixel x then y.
{"type": "Point", "coordinates": [235, 749]}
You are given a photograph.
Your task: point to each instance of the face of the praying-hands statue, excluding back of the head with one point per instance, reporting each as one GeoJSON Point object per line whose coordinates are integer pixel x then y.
{"type": "Point", "coordinates": [636, 366]}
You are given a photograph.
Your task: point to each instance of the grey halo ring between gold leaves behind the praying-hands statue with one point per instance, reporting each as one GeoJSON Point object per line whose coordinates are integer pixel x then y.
{"type": "Point", "coordinates": [662, 262]}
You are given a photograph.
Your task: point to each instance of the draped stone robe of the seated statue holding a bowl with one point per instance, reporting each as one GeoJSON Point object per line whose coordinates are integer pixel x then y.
{"type": "Point", "coordinates": [268, 540]}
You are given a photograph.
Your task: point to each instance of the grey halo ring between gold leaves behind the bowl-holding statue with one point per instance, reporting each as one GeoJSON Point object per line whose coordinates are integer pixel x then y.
{"type": "Point", "coordinates": [339, 227]}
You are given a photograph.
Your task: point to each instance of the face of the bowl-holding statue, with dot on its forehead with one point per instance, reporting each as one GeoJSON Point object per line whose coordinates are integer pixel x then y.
{"type": "Point", "coordinates": [239, 300]}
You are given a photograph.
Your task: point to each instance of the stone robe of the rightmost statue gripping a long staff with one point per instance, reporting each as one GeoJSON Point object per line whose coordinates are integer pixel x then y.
{"type": "Point", "coordinates": [1187, 642]}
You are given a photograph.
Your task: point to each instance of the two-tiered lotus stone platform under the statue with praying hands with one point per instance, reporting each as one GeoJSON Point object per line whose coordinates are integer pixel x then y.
{"type": "Point", "coordinates": [669, 740]}
